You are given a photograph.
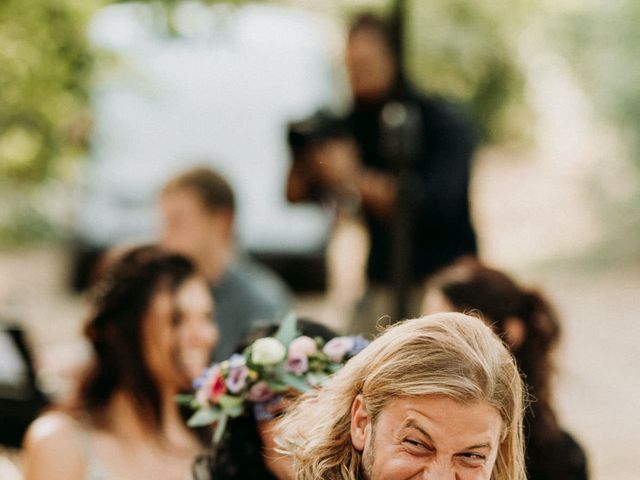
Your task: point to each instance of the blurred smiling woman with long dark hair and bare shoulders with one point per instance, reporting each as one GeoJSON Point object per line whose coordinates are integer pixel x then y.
{"type": "Point", "coordinates": [151, 334]}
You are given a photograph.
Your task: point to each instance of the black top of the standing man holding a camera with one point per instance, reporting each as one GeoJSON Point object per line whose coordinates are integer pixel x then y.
{"type": "Point", "coordinates": [441, 227]}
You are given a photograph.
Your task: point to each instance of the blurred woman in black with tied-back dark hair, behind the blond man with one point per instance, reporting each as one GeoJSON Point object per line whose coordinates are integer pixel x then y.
{"type": "Point", "coordinates": [530, 326]}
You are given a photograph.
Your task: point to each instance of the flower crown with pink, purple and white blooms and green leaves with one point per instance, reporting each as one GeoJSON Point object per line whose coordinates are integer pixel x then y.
{"type": "Point", "coordinates": [267, 369]}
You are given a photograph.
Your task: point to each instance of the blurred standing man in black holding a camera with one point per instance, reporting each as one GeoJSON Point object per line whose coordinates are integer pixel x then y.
{"type": "Point", "coordinates": [436, 178]}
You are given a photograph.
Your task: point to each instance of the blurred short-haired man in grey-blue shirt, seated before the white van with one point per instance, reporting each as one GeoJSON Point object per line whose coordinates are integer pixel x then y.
{"type": "Point", "coordinates": [198, 211]}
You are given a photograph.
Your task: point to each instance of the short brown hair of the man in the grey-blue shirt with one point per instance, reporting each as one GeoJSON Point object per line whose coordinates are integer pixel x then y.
{"type": "Point", "coordinates": [212, 190]}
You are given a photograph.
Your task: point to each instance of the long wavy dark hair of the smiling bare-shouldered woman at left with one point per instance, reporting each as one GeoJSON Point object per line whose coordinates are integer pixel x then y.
{"type": "Point", "coordinates": [120, 301]}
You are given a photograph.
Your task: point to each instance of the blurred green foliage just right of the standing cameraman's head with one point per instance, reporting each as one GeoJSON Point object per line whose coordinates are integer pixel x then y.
{"type": "Point", "coordinates": [467, 50]}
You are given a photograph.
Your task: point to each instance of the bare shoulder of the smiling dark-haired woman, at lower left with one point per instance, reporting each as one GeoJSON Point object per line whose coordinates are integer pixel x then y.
{"type": "Point", "coordinates": [53, 448]}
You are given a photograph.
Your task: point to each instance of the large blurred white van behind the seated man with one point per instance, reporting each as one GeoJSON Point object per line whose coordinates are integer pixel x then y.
{"type": "Point", "coordinates": [220, 91]}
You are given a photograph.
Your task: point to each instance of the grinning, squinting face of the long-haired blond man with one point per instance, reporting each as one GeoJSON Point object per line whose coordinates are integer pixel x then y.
{"type": "Point", "coordinates": [433, 437]}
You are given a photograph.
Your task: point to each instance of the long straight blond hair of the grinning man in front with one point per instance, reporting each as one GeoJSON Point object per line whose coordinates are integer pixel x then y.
{"type": "Point", "coordinates": [448, 354]}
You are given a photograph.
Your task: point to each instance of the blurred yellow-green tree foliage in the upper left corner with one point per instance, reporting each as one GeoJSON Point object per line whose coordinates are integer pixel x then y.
{"type": "Point", "coordinates": [44, 78]}
